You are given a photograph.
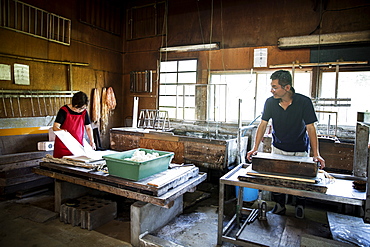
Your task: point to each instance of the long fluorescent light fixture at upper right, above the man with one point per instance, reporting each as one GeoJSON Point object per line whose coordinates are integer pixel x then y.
{"type": "Point", "coordinates": [324, 39]}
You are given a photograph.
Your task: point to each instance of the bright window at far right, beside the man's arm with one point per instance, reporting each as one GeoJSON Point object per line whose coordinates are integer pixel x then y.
{"type": "Point", "coordinates": [351, 85]}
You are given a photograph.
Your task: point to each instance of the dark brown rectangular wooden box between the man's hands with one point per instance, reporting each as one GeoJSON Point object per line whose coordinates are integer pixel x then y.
{"type": "Point", "coordinates": [283, 164]}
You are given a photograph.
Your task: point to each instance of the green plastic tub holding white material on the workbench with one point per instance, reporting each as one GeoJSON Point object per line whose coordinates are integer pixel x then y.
{"type": "Point", "coordinates": [133, 170]}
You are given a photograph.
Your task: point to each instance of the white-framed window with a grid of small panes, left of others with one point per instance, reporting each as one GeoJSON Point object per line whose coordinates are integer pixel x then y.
{"type": "Point", "coordinates": [177, 88]}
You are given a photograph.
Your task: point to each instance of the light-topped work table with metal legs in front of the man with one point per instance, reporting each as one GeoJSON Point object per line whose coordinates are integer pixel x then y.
{"type": "Point", "coordinates": [337, 190]}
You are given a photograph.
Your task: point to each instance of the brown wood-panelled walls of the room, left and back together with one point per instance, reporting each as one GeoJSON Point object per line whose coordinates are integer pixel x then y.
{"type": "Point", "coordinates": [239, 26]}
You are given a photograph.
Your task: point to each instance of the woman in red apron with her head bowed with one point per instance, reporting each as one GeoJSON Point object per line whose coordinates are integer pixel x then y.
{"type": "Point", "coordinates": [75, 119]}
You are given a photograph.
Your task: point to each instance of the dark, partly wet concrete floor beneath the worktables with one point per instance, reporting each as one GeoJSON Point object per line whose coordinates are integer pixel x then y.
{"type": "Point", "coordinates": [32, 222]}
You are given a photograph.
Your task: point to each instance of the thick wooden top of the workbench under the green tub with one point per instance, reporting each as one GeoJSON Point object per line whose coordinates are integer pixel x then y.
{"type": "Point", "coordinates": [175, 182]}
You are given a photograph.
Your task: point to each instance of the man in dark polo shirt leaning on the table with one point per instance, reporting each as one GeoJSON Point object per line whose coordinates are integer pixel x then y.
{"type": "Point", "coordinates": [293, 123]}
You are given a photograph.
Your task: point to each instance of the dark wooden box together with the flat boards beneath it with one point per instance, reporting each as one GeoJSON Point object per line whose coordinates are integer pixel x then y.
{"type": "Point", "coordinates": [285, 171]}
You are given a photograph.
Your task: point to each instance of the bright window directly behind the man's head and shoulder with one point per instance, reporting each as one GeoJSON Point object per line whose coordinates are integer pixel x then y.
{"type": "Point", "coordinates": [253, 89]}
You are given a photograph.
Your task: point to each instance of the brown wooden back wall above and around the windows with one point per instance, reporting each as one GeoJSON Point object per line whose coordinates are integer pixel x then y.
{"type": "Point", "coordinates": [239, 26]}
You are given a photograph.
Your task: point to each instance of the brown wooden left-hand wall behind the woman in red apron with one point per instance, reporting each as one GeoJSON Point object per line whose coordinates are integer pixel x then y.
{"type": "Point", "coordinates": [97, 53]}
